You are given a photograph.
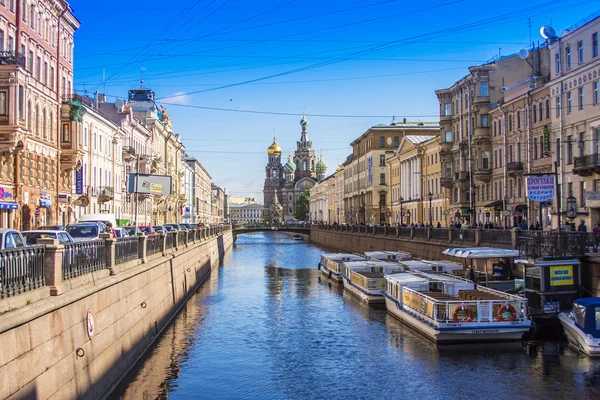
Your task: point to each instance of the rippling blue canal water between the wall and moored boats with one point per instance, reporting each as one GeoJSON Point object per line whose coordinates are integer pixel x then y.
{"type": "Point", "coordinates": [264, 326]}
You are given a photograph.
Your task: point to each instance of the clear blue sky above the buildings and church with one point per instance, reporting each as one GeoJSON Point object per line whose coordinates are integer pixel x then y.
{"type": "Point", "coordinates": [363, 61]}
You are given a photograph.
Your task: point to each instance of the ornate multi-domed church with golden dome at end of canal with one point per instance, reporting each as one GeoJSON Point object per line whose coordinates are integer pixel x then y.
{"type": "Point", "coordinates": [285, 183]}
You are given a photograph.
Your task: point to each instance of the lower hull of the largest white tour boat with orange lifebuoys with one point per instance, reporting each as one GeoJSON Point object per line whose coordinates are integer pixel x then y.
{"type": "Point", "coordinates": [472, 333]}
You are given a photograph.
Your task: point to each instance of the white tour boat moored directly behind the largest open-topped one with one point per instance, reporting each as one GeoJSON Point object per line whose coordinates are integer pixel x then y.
{"type": "Point", "coordinates": [366, 279]}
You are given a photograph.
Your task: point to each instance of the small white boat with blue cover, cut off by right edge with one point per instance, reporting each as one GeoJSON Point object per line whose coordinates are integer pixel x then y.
{"type": "Point", "coordinates": [582, 326]}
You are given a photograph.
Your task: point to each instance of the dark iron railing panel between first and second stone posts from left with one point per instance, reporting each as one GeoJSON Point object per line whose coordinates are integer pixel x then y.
{"type": "Point", "coordinates": [83, 258]}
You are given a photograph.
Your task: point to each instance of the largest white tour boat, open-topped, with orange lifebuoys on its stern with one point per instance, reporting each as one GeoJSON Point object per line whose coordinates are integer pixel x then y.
{"type": "Point", "coordinates": [449, 309]}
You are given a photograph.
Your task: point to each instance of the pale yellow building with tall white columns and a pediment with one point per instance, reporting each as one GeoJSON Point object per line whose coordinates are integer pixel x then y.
{"type": "Point", "coordinates": [416, 194]}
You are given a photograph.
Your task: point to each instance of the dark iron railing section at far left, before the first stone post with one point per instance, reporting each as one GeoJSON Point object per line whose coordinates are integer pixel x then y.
{"type": "Point", "coordinates": [21, 270]}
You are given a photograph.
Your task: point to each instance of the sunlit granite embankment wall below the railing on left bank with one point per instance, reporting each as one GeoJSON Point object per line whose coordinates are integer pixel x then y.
{"type": "Point", "coordinates": [45, 351]}
